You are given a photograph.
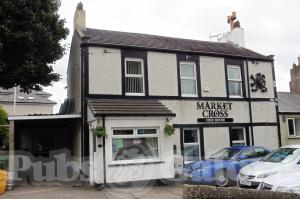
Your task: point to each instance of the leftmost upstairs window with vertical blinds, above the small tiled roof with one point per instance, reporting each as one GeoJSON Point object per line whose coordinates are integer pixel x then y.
{"type": "Point", "coordinates": [134, 77]}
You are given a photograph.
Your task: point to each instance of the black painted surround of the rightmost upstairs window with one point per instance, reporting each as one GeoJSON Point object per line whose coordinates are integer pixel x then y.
{"type": "Point", "coordinates": [236, 62]}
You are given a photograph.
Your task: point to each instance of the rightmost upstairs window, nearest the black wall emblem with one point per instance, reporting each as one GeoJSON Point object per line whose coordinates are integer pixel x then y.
{"type": "Point", "coordinates": [234, 81]}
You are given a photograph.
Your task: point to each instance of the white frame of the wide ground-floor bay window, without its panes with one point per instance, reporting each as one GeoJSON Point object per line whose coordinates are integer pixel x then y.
{"type": "Point", "coordinates": [136, 135]}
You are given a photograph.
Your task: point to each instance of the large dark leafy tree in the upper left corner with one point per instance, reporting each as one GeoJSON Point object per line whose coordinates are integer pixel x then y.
{"type": "Point", "coordinates": [31, 33]}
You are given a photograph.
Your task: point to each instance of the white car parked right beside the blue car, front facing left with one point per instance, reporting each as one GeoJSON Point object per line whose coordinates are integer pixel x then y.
{"type": "Point", "coordinates": [286, 158]}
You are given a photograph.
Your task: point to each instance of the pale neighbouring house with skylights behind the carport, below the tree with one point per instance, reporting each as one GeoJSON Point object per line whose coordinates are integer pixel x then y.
{"type": "Point", "coordinates": [36, 102]}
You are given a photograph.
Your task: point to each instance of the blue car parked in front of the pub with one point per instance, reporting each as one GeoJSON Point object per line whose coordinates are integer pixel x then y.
{"type": "Point", "coordinates": [222, 167]}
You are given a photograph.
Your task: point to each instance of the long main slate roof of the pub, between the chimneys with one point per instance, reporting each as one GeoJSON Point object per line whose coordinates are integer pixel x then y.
{"type": "Point", "coordinates": [126, 39]}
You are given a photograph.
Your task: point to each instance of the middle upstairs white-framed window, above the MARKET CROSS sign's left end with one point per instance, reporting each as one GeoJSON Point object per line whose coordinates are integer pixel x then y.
{"type": "Point", "coordinates": [188, 79]}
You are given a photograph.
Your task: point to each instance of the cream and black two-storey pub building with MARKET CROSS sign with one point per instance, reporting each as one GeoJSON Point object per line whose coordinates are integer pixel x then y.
{"type": "Point", "coordinates": [128, 87]}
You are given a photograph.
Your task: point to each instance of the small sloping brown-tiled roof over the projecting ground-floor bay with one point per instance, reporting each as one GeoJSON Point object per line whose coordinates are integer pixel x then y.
{"type": "Point", "coordinates": [128, 107]}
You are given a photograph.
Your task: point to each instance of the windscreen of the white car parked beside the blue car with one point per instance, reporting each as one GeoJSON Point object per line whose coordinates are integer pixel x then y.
{"type": "Point", "coordinates": [282, 155]}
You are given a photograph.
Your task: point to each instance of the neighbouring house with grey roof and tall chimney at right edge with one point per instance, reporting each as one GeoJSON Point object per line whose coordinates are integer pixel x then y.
{"type": "Point", "coordinates": [289, 109]}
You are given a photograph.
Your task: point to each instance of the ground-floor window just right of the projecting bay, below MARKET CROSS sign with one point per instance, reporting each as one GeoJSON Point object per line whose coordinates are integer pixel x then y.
{"type": "Point", "coordinates": [191, 145]}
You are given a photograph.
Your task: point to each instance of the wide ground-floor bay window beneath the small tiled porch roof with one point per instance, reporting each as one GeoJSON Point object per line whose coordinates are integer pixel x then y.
{"type": "Point", "coordinates": [135, 144]}
